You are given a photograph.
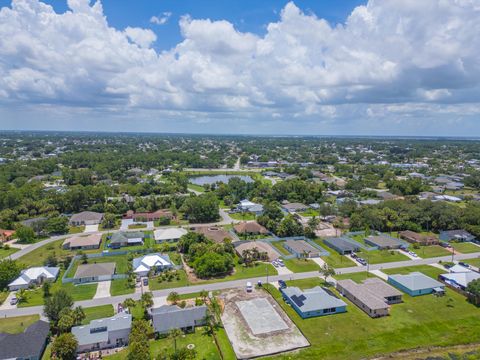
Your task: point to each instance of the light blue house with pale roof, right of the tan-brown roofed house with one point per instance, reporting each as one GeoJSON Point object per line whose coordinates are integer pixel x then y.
{"type": "Point", "coordinates": [416, 283]}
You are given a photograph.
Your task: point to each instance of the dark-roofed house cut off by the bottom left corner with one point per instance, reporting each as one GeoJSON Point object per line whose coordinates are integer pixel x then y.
{"type": "Point", "coordinates": [28, 345]}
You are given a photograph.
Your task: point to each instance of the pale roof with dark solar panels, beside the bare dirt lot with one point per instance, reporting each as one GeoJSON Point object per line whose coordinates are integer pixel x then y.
{"type": "Point", "coordinates": [312, 299]}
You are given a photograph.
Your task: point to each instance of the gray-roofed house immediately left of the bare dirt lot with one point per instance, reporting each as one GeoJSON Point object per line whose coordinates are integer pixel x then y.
{"type": "Point", "coordinates": [168, 317]}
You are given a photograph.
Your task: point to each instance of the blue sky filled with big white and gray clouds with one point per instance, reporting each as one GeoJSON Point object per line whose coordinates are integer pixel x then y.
{"type": "Point", "coordinates": [268, 67]}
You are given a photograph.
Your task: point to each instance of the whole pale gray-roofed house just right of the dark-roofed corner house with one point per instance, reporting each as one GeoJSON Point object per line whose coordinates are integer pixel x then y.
{"type": "Point", "coordinates": [103, 333]}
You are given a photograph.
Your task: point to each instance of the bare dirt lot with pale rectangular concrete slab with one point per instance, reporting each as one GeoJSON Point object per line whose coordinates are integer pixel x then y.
{"type": "Point", "coordinates": [257, 326]}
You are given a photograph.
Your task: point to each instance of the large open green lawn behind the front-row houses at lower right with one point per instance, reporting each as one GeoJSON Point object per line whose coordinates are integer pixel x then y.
{"type": "Point", "coordinates": [418, 322]}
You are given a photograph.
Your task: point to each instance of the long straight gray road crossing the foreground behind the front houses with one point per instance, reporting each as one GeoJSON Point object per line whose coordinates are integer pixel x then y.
{"type": "Point", "coordinates": [238, 283]}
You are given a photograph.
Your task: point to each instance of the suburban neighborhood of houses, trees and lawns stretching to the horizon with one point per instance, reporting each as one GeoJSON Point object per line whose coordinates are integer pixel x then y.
{"type": "Point", "coordinates": [224, 257]}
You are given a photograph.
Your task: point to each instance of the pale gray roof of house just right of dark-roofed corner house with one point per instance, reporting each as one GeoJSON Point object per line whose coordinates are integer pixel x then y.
{"type": "Point", "coordinates": [97, 331]}
